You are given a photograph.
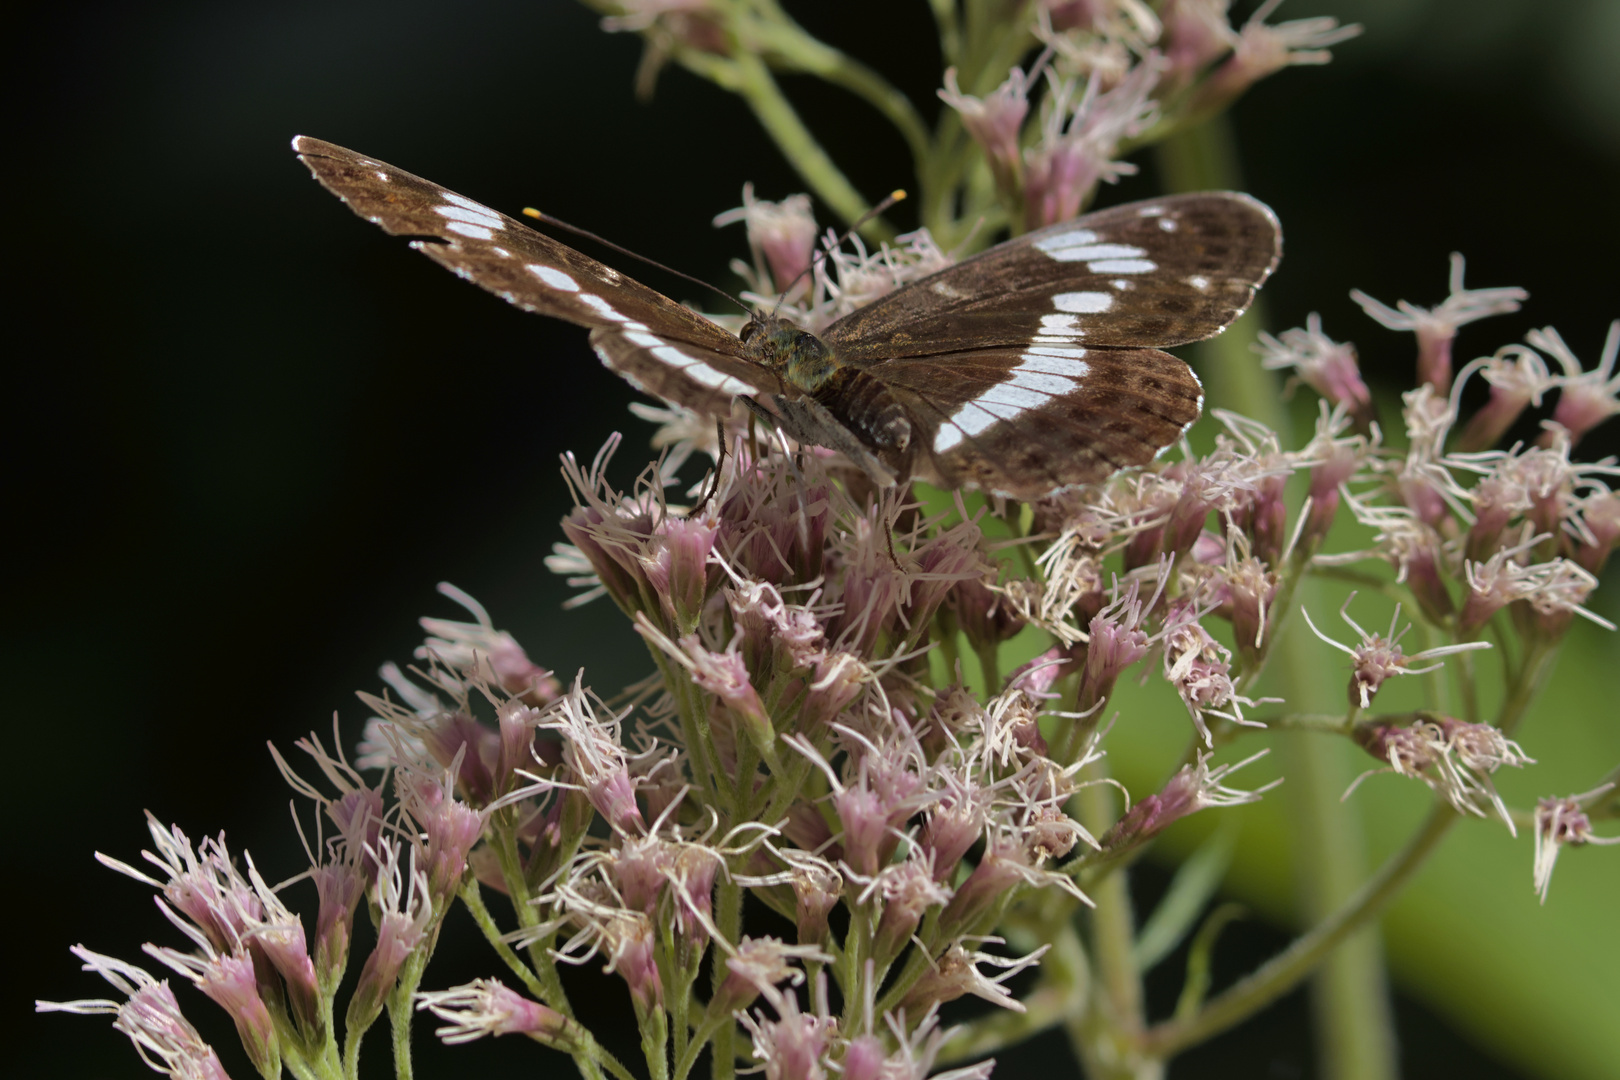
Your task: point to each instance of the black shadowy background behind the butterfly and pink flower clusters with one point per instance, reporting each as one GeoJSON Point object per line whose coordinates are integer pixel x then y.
{"type": "Point", "coordinates": [247, 433]}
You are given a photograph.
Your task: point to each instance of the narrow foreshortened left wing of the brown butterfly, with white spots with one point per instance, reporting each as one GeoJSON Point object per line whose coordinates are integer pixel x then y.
{"type": "Point", "coordinates": [539, 274]}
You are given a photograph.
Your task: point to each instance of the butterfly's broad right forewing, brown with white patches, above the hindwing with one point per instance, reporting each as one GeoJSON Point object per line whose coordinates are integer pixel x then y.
{"type": "Point", "coordinates": [1146, 274]}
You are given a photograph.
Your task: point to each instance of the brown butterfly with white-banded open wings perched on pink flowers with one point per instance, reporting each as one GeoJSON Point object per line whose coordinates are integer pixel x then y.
{"type": "Point", "coordinates": [1026, 370]}
